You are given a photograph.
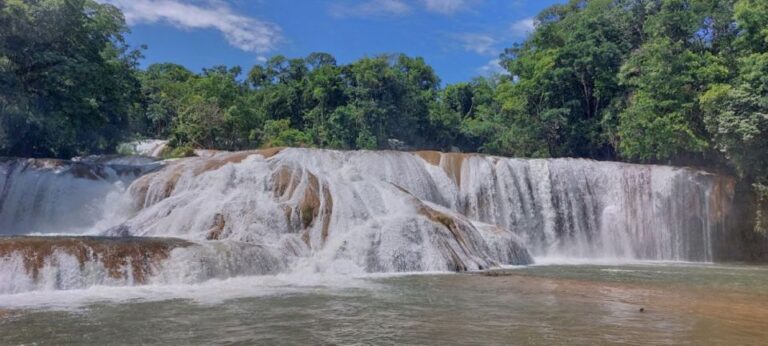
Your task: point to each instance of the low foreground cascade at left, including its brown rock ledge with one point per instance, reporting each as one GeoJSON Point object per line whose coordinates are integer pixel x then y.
{"type": "Point", "coordinates": [59, 263]}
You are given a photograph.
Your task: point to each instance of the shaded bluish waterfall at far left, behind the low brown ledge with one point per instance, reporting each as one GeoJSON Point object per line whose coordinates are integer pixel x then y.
{"type": "Point", "coordinates": [57, 196]}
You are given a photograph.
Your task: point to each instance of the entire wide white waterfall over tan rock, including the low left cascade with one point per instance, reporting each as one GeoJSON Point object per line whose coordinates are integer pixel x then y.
{"type": "Point", "coordinates": [225, 214]}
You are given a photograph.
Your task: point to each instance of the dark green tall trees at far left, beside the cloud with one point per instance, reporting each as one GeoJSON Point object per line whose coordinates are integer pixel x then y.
{"type": "Point", "coordinates": [67, 82]}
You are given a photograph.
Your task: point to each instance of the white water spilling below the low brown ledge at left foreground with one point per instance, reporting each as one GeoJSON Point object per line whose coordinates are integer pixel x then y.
{"type": "Point", "coordinates": [185, 265]}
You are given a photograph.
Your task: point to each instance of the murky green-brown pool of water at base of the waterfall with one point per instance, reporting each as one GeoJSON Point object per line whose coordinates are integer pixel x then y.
{"type": "Point", "coordinates": [640, 303]}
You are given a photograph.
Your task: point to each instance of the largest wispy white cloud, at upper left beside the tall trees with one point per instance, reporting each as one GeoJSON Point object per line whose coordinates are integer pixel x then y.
{"type": "Point", "coordinates": [246, 33]}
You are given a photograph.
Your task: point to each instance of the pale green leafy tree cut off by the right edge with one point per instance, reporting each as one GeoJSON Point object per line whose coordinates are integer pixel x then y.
{"type": "Point", "coordinates": [736, 111]}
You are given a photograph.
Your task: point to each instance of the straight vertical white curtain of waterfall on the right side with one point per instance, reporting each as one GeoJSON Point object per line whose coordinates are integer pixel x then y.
{"type": "Point", "coordinates": [588, 209]}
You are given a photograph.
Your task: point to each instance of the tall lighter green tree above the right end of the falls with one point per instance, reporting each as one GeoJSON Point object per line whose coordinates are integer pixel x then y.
{"type": "Point", "coordinates": [666, 76]}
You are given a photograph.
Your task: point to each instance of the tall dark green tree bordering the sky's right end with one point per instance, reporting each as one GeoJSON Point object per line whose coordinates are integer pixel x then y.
{"type": "Point", "coordinates": [564, 81]}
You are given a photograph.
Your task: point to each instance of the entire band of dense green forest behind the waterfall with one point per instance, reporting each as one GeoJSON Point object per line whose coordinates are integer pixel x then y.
{"type": "Point", "coordinates": [672, 81]}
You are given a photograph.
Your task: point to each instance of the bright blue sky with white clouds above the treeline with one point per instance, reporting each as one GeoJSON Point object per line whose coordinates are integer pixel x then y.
{"type": "Point", "coordinates": [460, 39]}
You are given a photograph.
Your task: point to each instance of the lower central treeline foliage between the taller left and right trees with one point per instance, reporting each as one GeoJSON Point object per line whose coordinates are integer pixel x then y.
{"type": "Point", "coordinates": [306, 102]}
